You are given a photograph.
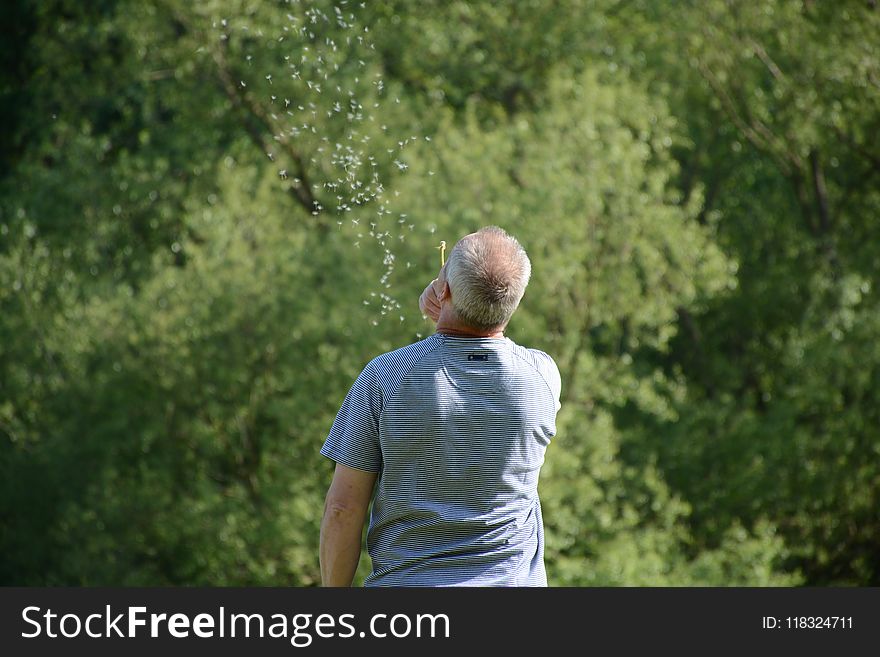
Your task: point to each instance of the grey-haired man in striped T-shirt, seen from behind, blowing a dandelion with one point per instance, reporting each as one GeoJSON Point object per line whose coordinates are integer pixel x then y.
{"type": "Point", "coordinates": [454, 428]}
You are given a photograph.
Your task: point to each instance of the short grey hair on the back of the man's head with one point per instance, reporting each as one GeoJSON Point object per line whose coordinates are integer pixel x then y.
{"type": "Point", "coordinates": [487, 273]}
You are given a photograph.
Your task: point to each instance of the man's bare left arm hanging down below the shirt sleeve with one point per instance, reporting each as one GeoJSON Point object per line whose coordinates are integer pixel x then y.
{"type": "Point", "coordinates": [344, 510]}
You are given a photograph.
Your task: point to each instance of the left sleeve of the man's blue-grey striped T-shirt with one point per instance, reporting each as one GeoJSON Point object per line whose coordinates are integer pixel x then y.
{"type": "Point", "coordinates": [354, 436]}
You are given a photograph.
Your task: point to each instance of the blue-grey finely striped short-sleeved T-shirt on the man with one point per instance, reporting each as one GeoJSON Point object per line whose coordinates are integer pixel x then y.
{"type": "Point", "coordinates": [456, 429]}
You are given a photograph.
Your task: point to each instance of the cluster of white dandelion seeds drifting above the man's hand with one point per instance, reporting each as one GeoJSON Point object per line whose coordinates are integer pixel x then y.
{"type": "Point", "coordinates": [326, 101]}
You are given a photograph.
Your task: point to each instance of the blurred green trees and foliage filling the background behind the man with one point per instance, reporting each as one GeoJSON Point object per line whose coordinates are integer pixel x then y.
{"type": "Point", "coordinates": [213, 214]}
